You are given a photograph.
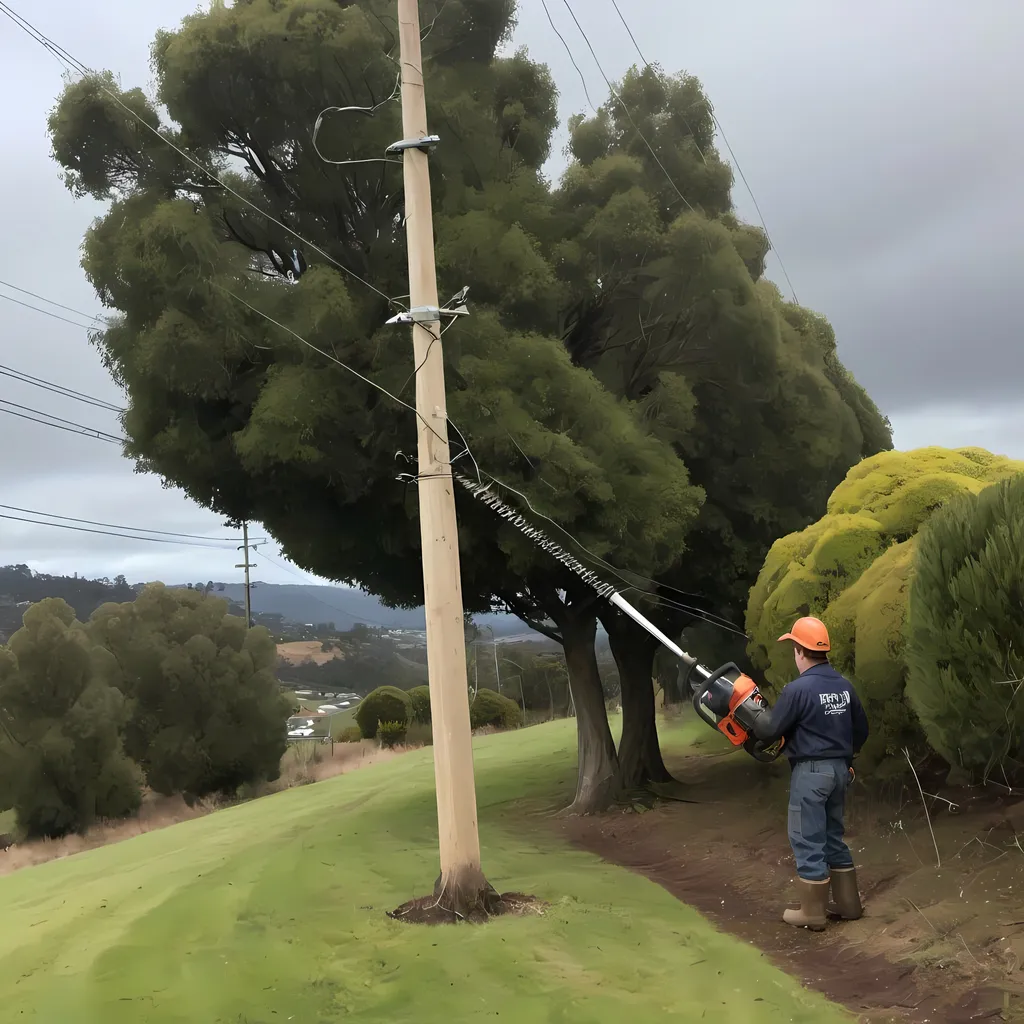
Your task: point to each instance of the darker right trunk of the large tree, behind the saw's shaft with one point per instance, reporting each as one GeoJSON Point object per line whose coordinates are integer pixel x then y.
{"type": "Point", "coordinates": [639, 751]}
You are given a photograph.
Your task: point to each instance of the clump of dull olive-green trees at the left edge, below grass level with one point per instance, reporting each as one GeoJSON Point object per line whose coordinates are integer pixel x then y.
{"type": "Point", "coordinates": [168, 692]}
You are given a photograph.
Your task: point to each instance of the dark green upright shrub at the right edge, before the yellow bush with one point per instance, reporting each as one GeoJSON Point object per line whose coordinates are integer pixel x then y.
{"type": "Point", "coordinates": [966, 632]}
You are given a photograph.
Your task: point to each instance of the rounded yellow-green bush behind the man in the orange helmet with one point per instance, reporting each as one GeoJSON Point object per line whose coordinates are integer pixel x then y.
{"type": "Point", "coordinates": [852, 569]}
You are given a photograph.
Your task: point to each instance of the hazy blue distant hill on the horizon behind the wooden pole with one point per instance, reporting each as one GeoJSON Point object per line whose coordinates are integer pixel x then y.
{"type": "Point", "coordinates": [346, 608]}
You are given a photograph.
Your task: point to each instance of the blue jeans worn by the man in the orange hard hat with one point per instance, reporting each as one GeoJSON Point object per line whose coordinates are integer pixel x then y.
{"type": "Point", "coordinates": [818, 793]}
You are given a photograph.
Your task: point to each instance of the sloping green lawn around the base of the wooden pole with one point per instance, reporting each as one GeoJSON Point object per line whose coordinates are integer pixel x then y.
{"type": "Point", "coordinates": [274, 911]}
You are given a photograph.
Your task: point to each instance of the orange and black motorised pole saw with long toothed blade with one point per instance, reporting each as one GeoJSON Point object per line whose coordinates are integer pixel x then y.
{"type": "Point", "coordinates": [727, 700]}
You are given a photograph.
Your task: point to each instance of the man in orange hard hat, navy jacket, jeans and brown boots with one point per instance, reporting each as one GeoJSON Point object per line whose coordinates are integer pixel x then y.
{"type": "Point", "coordinates": [824, 724]}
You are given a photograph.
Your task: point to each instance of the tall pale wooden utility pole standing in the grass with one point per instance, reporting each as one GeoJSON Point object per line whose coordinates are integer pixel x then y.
{"type": "Point", "coordinates": [462, 886]}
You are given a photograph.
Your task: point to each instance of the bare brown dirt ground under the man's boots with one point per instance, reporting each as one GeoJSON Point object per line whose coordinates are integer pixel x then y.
{"type": "Point", "coordinates": [933, 947]}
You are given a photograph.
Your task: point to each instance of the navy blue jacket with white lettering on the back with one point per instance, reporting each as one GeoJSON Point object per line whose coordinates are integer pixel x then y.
{"type": "Point", "coordinates": [820, 715]}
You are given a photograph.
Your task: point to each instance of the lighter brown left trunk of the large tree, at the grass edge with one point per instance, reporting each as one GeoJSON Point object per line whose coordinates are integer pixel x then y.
{"type": "Point", "coordinates": [596, 750]}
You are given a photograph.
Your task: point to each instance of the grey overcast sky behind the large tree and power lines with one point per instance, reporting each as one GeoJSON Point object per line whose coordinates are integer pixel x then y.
{"type": "Point", "coordinates": [883, 142]}
